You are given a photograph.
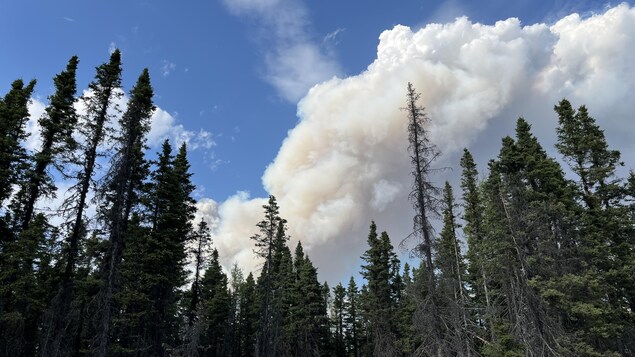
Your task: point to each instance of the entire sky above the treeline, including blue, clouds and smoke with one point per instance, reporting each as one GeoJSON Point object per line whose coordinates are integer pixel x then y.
{"type": "Point", "coordinates": [300, 98]}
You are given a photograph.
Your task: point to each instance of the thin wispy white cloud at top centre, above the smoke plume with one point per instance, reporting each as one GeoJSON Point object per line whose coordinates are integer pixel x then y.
{"type": "Point", "coordinates": [294, 63]}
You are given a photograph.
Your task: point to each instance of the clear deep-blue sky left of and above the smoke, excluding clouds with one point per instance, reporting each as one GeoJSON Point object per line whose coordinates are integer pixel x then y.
{"type": "Point", "coordinates": [207, 64]}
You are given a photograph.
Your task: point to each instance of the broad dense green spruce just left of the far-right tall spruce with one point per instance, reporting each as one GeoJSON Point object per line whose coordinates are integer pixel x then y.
{"type": "Point", "coordinates": [527, 191]}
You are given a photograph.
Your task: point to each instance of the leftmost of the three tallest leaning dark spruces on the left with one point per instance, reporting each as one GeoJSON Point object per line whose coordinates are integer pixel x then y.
{"type": "Point", "coordinates": [57, 125]}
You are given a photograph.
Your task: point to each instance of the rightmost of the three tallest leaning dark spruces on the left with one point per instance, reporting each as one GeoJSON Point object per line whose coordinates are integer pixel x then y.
{"type": "Point", "coordinates": [121, 194]}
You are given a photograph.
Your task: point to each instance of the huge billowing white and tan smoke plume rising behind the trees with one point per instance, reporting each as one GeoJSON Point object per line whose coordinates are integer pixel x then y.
{"type": "Point", "coordinates": [346, 161]}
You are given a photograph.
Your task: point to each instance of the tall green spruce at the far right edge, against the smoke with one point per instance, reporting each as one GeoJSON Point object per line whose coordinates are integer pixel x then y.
{"type": "Point", "coordinates": [606, 231]}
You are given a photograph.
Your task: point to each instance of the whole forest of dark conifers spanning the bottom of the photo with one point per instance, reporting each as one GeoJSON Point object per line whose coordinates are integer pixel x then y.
{"type": "Point", "coordinates": [531, 258]}
